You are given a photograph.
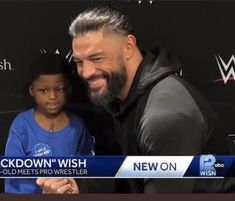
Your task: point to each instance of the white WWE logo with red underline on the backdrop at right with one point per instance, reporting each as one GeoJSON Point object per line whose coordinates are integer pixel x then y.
{"type": "Point", "coordinates": [226, 69]}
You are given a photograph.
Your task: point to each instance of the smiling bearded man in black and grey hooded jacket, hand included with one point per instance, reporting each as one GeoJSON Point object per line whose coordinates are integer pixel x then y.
{"type": "Point", "coordinates": [155, 111]}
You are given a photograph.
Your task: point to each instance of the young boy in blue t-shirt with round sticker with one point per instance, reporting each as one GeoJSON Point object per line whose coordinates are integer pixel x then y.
{"type": "Point", "coordinates": [47, 129]}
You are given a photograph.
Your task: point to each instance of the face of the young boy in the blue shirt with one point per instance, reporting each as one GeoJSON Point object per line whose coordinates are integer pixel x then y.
{"type": "Point", "coordinates": [49, 93]}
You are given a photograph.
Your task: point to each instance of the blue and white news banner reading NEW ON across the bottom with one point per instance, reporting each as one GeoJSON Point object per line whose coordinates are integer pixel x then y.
{"type": "Point", "coordinates": [202, 166]}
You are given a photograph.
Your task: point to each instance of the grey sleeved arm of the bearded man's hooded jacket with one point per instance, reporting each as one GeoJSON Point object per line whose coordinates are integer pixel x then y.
{"type": "Point", "coordinates": [171, 125]}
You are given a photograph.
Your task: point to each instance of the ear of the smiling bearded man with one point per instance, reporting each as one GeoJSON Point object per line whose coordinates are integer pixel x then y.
{"type": "Point", "coordinates": [130, 46]}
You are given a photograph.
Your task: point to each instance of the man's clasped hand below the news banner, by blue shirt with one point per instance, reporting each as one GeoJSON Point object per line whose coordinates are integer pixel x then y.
{"type": "Point", "coordinates": [58, 186]}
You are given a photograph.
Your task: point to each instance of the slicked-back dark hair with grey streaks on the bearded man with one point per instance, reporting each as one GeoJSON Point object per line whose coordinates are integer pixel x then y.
{"type": "Point", "coordinates": [100, 18]}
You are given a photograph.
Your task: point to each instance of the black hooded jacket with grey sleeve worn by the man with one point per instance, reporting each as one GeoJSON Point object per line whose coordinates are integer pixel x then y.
{"type": "Point", "coordinates": [164, 115]}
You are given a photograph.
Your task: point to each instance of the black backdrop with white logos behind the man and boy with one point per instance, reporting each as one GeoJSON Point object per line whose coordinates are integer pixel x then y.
{"type": "Point", "coordinates": [200, 33]}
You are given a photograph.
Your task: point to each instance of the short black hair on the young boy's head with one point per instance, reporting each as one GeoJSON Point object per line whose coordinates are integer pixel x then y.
{"type": "Point", "coordinates": [49, 64]}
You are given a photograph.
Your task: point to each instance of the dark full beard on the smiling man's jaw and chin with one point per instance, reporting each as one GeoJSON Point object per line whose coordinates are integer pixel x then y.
{"type": "Point", "coordinates": [114, 82]}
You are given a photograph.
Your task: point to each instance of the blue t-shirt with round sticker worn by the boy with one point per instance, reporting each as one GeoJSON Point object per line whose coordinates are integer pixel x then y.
{"type": "Point", "coordinates": [27, 138]}
